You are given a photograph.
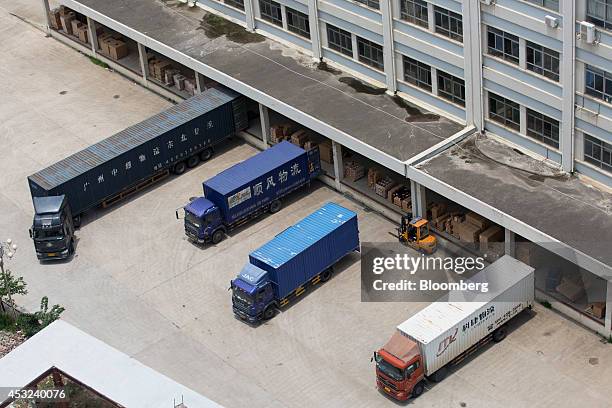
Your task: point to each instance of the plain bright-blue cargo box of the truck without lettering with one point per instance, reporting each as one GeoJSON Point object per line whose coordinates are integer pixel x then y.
{"type": "Point", "coordinates": [307, 248]}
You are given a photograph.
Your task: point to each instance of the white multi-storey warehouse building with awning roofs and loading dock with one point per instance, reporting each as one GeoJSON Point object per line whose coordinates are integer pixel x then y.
{"type": "Point", "coordinates": [496, 107]}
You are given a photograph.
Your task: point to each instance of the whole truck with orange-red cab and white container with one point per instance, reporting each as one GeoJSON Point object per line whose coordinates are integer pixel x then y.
{"type": "Point", "coordinates": [441, 334]}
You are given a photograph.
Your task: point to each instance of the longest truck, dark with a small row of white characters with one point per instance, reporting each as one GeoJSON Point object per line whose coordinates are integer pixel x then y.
{"type": "Point", "coordinates": [126, 162]}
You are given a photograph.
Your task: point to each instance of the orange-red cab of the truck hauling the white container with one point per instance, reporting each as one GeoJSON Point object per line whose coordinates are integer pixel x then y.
{"type": "Point", "coordinates": [399, 368]}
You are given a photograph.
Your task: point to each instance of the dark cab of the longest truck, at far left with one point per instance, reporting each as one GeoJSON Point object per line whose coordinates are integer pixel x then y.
{"type": "Point", "coordinates": [52, 228]}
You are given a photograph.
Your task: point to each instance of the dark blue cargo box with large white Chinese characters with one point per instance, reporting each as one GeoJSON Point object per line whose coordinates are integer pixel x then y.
{"type": "Point", "coordinates": [243, 188]}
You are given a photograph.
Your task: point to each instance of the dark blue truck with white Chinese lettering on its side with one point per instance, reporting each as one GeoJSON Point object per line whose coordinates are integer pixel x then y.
{"type": "Point", "coordinates": [249, 189]}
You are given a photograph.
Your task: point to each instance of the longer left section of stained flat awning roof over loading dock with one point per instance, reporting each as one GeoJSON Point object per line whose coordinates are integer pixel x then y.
{"type": "Point", "coordinates": [365, 119]}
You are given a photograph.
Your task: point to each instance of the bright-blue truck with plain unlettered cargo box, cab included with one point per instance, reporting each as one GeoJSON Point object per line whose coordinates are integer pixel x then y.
{"type": "Point", "coordinates": [301, 256]}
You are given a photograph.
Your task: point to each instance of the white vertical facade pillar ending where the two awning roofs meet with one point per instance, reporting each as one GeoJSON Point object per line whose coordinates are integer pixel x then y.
{"type": "Point", "coordinates": [472, 50]}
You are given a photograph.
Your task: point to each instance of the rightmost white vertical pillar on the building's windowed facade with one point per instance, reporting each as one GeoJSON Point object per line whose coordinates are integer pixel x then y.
{"type": "Point", "coordinates": [568, 66]}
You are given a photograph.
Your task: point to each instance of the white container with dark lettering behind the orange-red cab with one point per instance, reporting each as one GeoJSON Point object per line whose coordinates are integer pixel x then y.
{"type": "Point", "coordinates": [456, 322]}
